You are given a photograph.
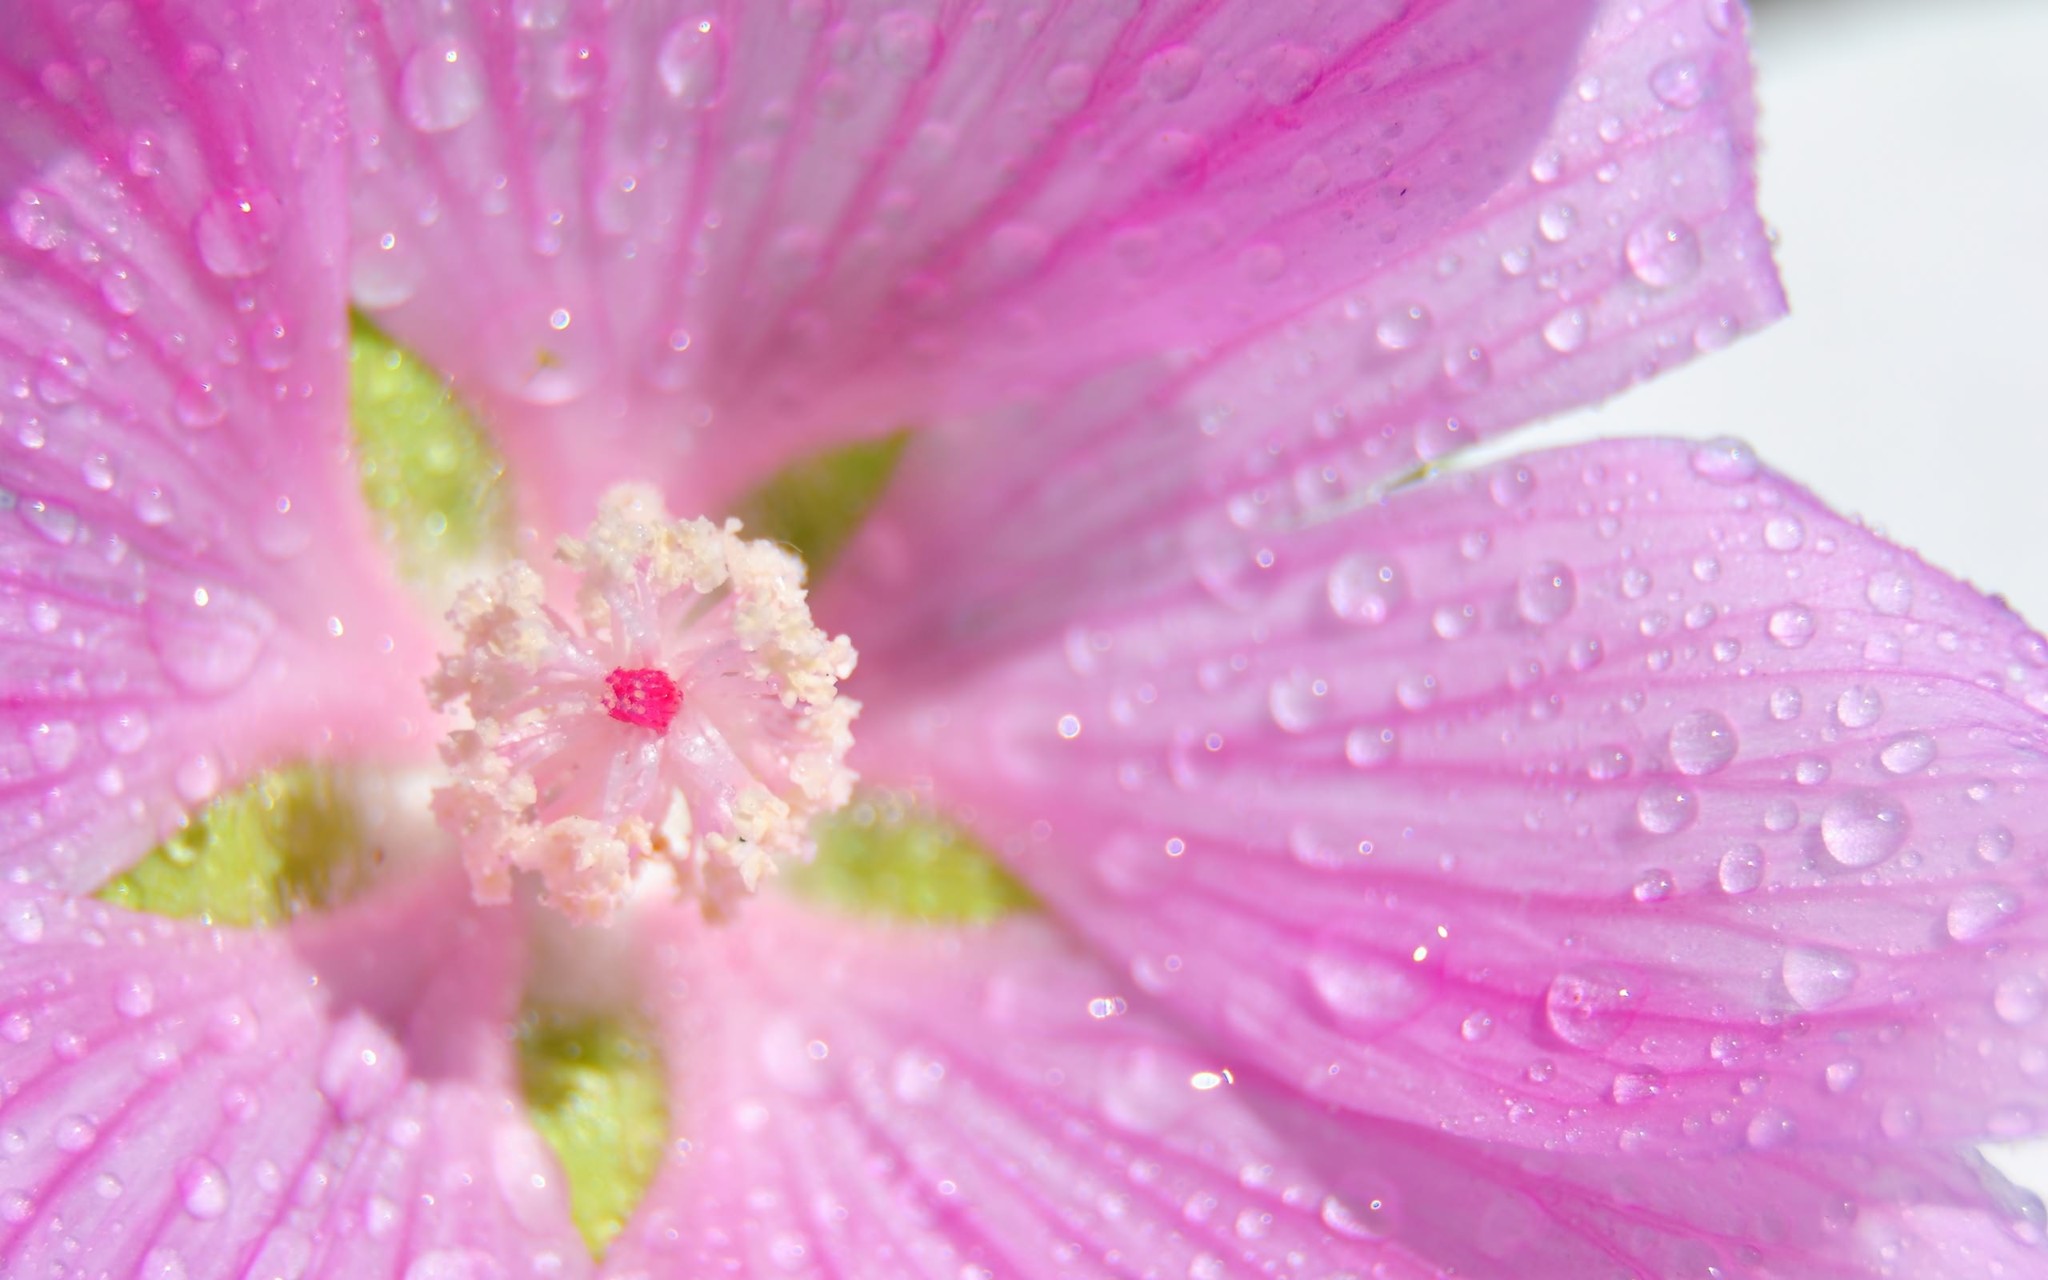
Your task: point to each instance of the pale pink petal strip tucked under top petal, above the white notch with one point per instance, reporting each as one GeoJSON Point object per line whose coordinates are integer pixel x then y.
{"type": "Point", "coordinates": [1623, 243]}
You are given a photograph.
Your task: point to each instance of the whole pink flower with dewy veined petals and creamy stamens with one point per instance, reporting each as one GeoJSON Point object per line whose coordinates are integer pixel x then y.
{"type": "Point", "coordinates": [1601, 863]}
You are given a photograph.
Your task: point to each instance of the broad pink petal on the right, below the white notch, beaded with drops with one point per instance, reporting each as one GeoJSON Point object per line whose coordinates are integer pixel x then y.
{"type": "Point", "coordinates": [1619, 796]}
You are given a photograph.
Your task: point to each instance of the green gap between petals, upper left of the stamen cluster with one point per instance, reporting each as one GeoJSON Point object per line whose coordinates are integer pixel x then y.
{"type": "Point", "coordinates": [429, 472]}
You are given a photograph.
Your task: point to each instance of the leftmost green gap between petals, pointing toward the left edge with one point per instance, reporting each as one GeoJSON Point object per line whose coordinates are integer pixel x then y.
{"type": "Point", "coordinates": [259, 855]}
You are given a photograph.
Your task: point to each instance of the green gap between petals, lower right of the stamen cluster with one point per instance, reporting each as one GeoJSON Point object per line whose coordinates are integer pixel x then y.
{"type": "Point", "coordinates": [886, 859]}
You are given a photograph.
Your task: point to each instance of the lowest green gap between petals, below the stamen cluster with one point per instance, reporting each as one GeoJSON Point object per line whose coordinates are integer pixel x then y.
{"type": "Point", "coordinates": [597, 1093]}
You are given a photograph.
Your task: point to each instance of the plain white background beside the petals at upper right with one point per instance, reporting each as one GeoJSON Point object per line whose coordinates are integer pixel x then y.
{"type": "Point", "coordinates": [1906, 169]}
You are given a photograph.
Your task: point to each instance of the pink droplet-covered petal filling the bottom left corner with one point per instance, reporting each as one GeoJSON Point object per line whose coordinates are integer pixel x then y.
{"type": "Point", "coordinates": [329, 1099]}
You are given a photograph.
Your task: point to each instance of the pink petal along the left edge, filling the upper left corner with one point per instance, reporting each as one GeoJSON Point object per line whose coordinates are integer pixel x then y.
{"type": "Point", "coordinates": [181, 536]}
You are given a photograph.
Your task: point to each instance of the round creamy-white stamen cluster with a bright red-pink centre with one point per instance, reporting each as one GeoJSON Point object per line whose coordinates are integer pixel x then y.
{"type": "Point", "coordinates": [693, 718]}
